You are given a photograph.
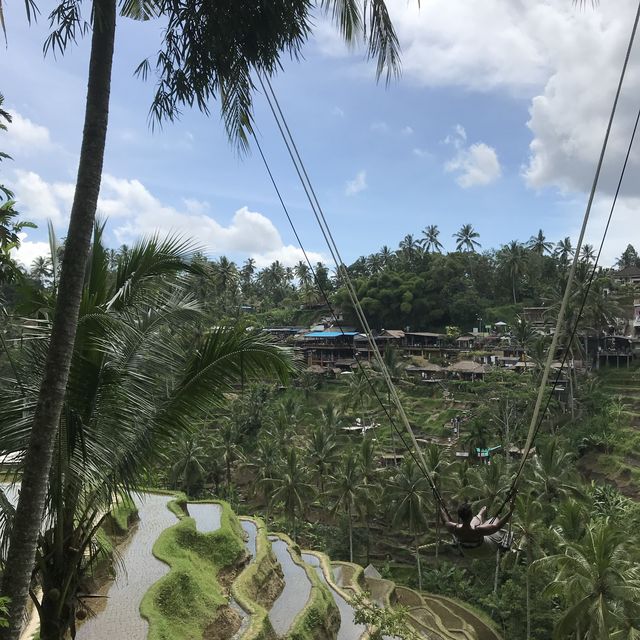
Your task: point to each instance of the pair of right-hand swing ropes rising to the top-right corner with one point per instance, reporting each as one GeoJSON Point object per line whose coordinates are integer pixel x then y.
{"type": "Point", "coordinates": [537, 418]}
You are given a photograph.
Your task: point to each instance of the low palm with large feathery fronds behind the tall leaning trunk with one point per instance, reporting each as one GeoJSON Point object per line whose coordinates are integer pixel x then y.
{"type": "Point", "coordinates": [129, 397]}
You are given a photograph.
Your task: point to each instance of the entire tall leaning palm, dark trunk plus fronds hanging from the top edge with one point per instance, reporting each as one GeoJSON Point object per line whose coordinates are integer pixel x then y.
{"type": "Point", "coordinates": [193, 79]}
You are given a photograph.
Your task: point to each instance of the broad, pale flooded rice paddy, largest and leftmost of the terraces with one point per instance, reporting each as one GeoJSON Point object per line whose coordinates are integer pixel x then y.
{"type": "Point", "coordinates": [136, 572]}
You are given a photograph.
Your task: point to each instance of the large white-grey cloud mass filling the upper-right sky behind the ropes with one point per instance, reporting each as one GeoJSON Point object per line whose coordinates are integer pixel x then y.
{"type": "Point", "coordinates": [563, 58]}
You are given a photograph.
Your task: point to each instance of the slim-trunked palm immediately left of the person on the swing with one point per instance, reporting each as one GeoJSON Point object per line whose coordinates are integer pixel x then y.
{"type": "Point", "coordinates": [409, 496]}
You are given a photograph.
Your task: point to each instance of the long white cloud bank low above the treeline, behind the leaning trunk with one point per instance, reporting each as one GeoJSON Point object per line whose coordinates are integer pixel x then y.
{"type": "Point", "coordinates": [133, 211]}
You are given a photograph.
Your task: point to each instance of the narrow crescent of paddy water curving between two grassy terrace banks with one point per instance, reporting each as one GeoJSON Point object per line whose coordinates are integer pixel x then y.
{"type": "Point", "coordinates": [296, 592]}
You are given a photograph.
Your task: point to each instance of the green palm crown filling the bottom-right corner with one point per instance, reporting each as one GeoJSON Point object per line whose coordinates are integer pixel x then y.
{"type": "Point", "coordinates": [599, 583]}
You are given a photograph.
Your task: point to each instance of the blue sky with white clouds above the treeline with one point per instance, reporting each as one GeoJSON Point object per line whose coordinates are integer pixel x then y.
{"type": "Point", "coordinates": [497, 120]}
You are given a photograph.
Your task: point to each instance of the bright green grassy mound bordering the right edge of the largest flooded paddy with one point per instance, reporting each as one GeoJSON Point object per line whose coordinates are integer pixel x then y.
{"type": "Point", "coordinates": [184, 602]}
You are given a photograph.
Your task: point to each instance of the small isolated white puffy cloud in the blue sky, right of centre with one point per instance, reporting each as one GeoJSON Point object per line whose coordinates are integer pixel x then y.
{"type": "Point", "coordinates": [476, 164]}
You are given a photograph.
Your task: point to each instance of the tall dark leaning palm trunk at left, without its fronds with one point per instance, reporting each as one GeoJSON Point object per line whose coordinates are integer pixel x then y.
{"type": "Point", "coordinates": [22, 549]}
